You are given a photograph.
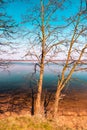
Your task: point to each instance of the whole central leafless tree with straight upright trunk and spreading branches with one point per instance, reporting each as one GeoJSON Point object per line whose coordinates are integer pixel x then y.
{"type": "Point", "coordinates": [44, 37]}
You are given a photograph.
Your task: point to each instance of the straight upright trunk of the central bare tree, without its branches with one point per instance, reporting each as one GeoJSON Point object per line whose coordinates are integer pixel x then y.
{"type": "Point", "coordinates": [39, 93]}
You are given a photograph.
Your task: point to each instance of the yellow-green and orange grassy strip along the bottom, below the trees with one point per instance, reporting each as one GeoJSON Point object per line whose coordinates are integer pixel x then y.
{"type": "Point", "coordinates": [27, 122]}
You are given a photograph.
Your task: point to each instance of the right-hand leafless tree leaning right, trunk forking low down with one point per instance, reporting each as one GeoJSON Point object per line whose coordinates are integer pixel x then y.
{"type": "Point", "coordinates": [79, 31]}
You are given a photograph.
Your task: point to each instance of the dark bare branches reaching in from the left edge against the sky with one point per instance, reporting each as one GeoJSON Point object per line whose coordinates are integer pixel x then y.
{"type": "Point", "coordinates": [7, 30]}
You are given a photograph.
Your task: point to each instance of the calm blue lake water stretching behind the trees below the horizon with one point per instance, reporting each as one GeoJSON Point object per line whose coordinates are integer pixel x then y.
{"type": "Point", "coordinates": [20, 74]}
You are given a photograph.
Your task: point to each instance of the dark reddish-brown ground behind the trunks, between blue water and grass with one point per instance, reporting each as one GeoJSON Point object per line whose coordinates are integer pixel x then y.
{"type": "Point", "coordinates": [21, 100]}
